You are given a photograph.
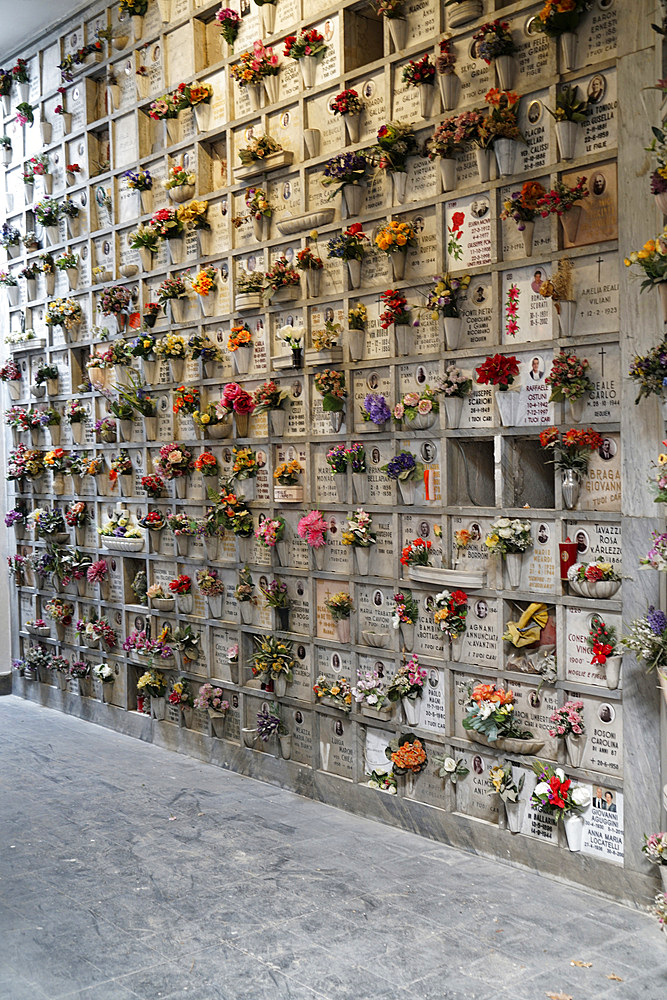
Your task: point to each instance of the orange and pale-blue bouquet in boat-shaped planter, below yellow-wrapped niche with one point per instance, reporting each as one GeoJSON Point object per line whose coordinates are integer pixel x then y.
{"type": "Point", "coordinates": [490, 720]}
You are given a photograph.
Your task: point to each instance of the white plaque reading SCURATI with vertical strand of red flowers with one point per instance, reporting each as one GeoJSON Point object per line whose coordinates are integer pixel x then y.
{"type": "Point", "coordinates": [527, 315]}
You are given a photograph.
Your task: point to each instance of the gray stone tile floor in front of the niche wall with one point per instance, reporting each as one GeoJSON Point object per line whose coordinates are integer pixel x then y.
{"type": "Point", "coordinates": [130, 872]}
